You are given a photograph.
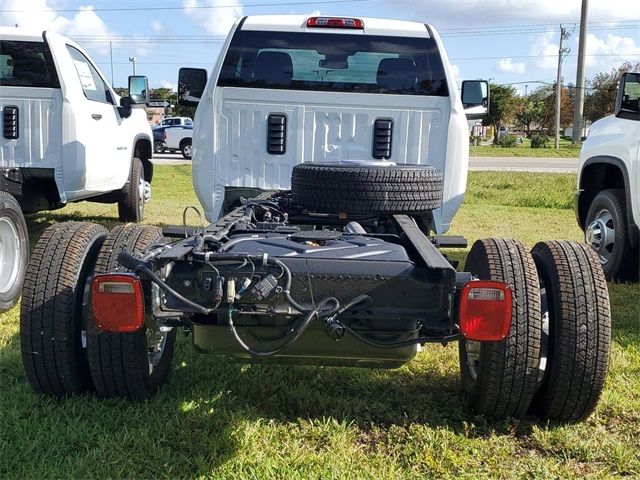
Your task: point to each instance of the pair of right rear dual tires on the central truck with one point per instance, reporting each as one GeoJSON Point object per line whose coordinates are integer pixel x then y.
{"type": "Point", "coordinates": [554, 361]}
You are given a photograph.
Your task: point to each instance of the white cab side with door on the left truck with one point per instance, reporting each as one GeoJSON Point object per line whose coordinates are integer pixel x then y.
{"type": "Point", "coordinates": [96, 156]}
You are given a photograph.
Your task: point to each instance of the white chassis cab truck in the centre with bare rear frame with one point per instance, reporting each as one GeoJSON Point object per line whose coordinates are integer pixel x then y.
{"type": "Point", "coordinates": [330, 154]}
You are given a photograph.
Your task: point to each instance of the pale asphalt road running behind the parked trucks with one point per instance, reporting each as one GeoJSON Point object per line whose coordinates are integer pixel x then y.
{"type": "Point", "coordinates": [516, 164]}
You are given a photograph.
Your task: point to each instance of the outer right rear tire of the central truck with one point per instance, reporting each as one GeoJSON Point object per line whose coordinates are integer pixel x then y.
{"type": "Point", "coordinates": [576, 354]}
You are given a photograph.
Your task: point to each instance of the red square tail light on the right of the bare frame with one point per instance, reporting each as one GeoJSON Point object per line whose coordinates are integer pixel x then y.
{"type": "Point", "coordinates": [485, 311]}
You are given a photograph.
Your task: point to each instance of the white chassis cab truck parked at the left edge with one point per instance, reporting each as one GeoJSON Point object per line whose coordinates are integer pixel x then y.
{"type": "Point", "coordinates": [66, 137]}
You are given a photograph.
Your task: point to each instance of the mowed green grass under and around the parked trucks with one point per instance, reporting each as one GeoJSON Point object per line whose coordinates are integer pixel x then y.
{"type": "Point", "coordinates": [220, 420]}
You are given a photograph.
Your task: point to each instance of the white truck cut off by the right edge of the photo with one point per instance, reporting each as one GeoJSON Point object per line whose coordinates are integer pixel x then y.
{"type": "Point", "coordinates": [608, 198]}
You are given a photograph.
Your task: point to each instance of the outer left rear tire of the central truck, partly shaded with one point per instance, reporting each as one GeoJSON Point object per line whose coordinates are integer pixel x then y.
{"type": "Point", "coordinates": [54, 307]}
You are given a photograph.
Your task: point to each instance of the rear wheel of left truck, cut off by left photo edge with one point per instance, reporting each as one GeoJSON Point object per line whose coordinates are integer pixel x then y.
{"type": "Point", "coordinates": [14, 250]}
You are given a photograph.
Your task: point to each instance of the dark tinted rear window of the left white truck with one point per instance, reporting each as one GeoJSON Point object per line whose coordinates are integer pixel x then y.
{"type": "Point", "coordinates": [27, 64]}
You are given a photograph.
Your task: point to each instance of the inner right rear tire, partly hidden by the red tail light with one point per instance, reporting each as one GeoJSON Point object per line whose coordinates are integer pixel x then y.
{"type": "Point", "coordinates": [500, 378]}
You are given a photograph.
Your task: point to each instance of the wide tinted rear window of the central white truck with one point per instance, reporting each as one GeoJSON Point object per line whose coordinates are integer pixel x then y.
{"type": "Point", "coordinates": [334, 62]}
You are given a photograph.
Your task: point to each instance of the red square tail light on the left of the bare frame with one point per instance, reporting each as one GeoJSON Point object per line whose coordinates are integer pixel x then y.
{"type": "Point", "coordinates": [117, 302]}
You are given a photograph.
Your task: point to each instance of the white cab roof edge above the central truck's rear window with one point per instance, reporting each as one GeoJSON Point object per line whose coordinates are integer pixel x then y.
{"type": "Point", "coordinates": [372, 26]}
